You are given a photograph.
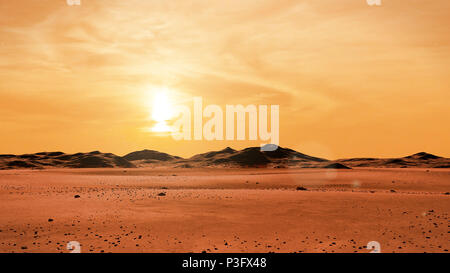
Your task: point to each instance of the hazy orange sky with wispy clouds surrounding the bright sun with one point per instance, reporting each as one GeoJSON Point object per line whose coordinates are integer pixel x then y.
{"type": "Point", "coordinates": [351, 80]}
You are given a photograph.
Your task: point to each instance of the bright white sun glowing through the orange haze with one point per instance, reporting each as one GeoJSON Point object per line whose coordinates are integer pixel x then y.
{"type": "Point", "coordinates": [161, 111]}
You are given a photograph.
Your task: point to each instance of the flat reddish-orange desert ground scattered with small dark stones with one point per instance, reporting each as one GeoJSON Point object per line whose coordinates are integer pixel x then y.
{"type": "Point", "coordinates": [225, 210]}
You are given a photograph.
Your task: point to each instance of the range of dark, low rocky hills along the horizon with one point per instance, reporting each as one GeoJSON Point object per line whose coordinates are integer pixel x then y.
{"type": "Point", "coordinates": [228, 157]}
